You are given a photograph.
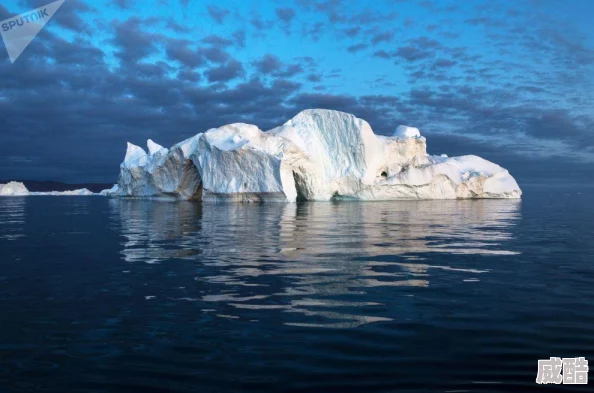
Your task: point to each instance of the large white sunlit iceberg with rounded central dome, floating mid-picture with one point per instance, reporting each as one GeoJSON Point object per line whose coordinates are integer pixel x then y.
{"type": "Point", "coordinates": [317, 155]}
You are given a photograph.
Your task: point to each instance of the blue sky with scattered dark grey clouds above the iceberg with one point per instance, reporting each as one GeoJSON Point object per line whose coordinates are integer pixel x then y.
{"type": "Point", "coordinates": [512, 82]}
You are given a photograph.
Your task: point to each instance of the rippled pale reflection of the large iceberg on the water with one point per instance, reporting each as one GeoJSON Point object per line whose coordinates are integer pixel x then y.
{"type": "Point", "coordinates": [319, 260]}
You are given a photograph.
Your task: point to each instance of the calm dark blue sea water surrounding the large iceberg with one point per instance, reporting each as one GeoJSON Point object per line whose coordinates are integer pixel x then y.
{"type": "Point", "coordinates": [104, 295]}
